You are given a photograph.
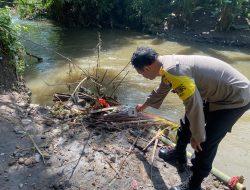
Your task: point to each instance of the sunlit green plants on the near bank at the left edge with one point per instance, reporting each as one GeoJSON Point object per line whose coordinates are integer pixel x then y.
{"type": "Point", "coordinates": [11, 52]}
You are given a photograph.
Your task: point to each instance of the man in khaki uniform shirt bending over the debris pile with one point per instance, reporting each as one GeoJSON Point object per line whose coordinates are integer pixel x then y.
{"type": "Point", "coordinates": [215, 96]}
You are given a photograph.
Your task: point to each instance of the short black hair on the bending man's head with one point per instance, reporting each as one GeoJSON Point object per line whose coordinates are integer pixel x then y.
{"type": "Point", "coordinates": [143, 56]}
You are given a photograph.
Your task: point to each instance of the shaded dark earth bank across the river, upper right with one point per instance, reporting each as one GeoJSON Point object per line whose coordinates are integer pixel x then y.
{"type": "Point", "coordinates": [203, 31]}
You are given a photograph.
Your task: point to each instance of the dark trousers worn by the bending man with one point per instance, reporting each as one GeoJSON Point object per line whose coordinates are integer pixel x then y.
{"type": "Point", "coordinates": [218, 123]}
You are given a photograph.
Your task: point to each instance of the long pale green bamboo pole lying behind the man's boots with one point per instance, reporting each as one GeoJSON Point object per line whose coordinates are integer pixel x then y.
{"type": "Point", "coordinates": [217, 173]}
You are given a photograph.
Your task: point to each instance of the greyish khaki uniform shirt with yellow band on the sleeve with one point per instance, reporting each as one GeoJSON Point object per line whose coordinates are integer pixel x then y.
{"type": "Point", "coordinates": [196, 79]}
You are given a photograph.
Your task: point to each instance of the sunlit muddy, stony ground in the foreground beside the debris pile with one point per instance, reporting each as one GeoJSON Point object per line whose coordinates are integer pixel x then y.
{"type": "Point", "coordinates": [75, 156]}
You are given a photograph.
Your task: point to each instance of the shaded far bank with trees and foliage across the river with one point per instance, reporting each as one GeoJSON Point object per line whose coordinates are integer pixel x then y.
{"type": "Point", "coordinates": [224, 22]}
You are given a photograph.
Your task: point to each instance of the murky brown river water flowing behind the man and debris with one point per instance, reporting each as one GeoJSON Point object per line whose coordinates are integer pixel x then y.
{"type": "Point", "coordinates": [79, 45]}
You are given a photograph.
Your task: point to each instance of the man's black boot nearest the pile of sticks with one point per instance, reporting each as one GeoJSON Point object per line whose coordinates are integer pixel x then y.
{"type": "Point", "coordinates": [171, 155]}
